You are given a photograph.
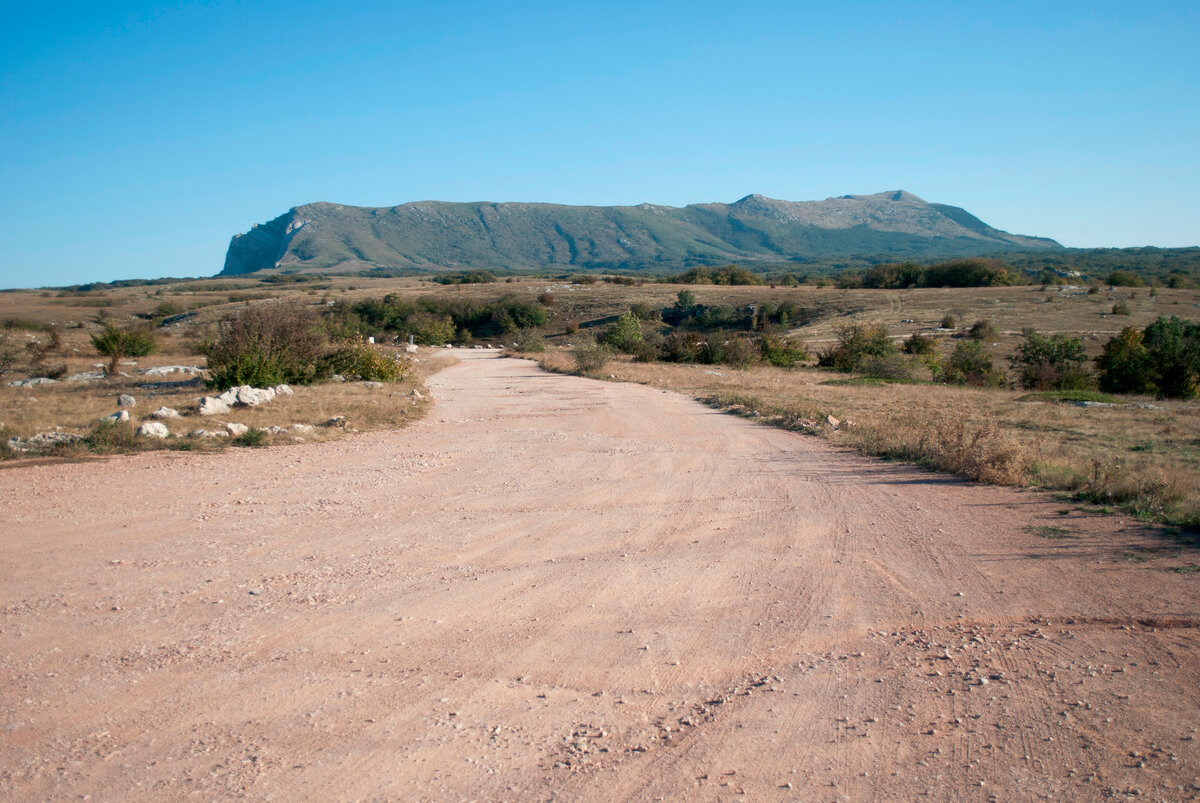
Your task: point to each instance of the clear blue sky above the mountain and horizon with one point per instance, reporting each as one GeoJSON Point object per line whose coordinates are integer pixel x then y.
{"type": "Point", "coordinates": [136, 140]}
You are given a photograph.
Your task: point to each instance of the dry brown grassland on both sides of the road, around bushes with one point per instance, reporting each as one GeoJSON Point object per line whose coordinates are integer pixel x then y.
{"type": "Point", "coordinates": [1142, 456]}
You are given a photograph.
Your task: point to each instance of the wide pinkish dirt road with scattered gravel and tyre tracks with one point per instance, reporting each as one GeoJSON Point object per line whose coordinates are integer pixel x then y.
{"type": "Point", "coordinates": [555, 588]}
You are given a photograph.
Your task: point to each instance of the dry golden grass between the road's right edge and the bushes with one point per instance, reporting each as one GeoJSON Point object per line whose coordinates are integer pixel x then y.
{"type": "Point", "coordinates": [1145, 460]}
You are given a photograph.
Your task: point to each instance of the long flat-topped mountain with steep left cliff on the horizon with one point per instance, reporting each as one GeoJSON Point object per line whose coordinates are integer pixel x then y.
{"type": "Point", "coordinates": [436, 236]}
